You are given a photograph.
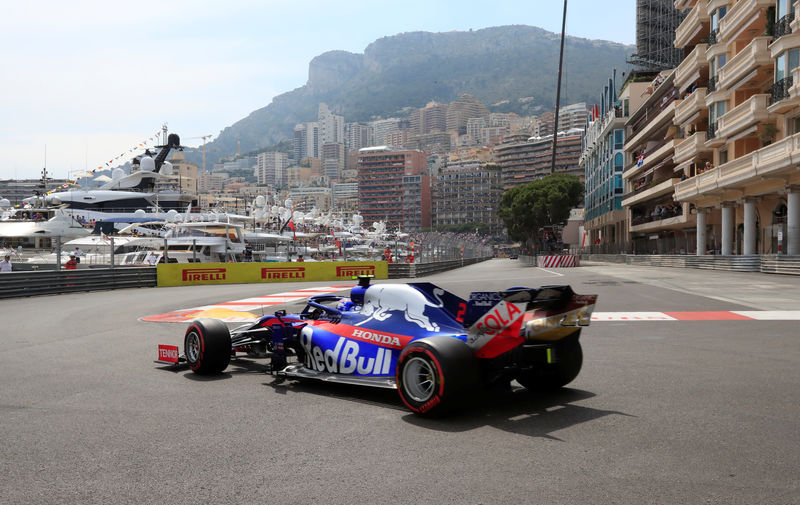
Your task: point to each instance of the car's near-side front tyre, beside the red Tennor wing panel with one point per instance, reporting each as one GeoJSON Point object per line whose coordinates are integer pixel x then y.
{"type": "Point", "coordinates": [207, 345]}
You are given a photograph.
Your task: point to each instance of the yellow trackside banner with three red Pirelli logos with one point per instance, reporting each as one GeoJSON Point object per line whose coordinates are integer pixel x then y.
{"type": "Point", "coordinates": [187, 274]}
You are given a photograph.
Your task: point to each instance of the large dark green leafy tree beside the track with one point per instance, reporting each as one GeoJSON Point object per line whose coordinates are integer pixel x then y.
{"type": "Point", "coordinates": [526, 210]}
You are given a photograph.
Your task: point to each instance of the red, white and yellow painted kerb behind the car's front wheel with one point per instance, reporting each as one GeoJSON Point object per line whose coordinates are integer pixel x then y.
{"type": "Point", "coordinates": [238, 311]}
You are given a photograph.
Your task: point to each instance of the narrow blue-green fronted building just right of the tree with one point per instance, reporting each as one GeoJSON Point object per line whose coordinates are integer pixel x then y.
{"type": "Point", "coordinates": [603, 161]}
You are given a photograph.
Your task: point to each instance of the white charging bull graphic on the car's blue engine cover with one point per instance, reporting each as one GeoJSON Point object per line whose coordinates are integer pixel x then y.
{"type": "Point", "coordinates": [380, 301]}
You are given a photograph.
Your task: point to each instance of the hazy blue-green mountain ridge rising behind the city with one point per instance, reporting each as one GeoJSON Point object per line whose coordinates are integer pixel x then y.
{"type": "Point", "coordinates": [498, 65]}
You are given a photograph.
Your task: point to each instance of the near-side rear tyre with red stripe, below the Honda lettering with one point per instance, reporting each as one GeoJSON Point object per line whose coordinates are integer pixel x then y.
{"type": "Point", "coordinates": [435, 374]}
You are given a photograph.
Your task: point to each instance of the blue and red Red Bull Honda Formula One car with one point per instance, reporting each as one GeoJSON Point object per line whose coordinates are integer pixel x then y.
{"type": "Point", "coordinates": [431, 345]}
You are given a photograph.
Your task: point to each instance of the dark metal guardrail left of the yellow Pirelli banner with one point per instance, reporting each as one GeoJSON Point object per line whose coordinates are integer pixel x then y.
{"type": "Point", "coordinates": [46, 282]}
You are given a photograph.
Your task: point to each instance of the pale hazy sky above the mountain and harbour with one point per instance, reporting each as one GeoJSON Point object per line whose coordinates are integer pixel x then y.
{"type": "Point", "coordinates": [86, 81]}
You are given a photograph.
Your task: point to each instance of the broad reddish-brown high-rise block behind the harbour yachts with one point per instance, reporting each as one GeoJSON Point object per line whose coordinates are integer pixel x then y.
{"type": "Point", "coordinates": [381, 190]}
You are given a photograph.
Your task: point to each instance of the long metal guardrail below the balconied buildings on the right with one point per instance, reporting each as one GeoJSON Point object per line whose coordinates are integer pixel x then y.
{"type": "Point", "coordinates": [766, 263]}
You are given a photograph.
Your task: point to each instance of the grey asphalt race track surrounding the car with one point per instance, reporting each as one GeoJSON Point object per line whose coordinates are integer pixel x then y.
{"type": "Point", "coordinates": [662, 412]}
